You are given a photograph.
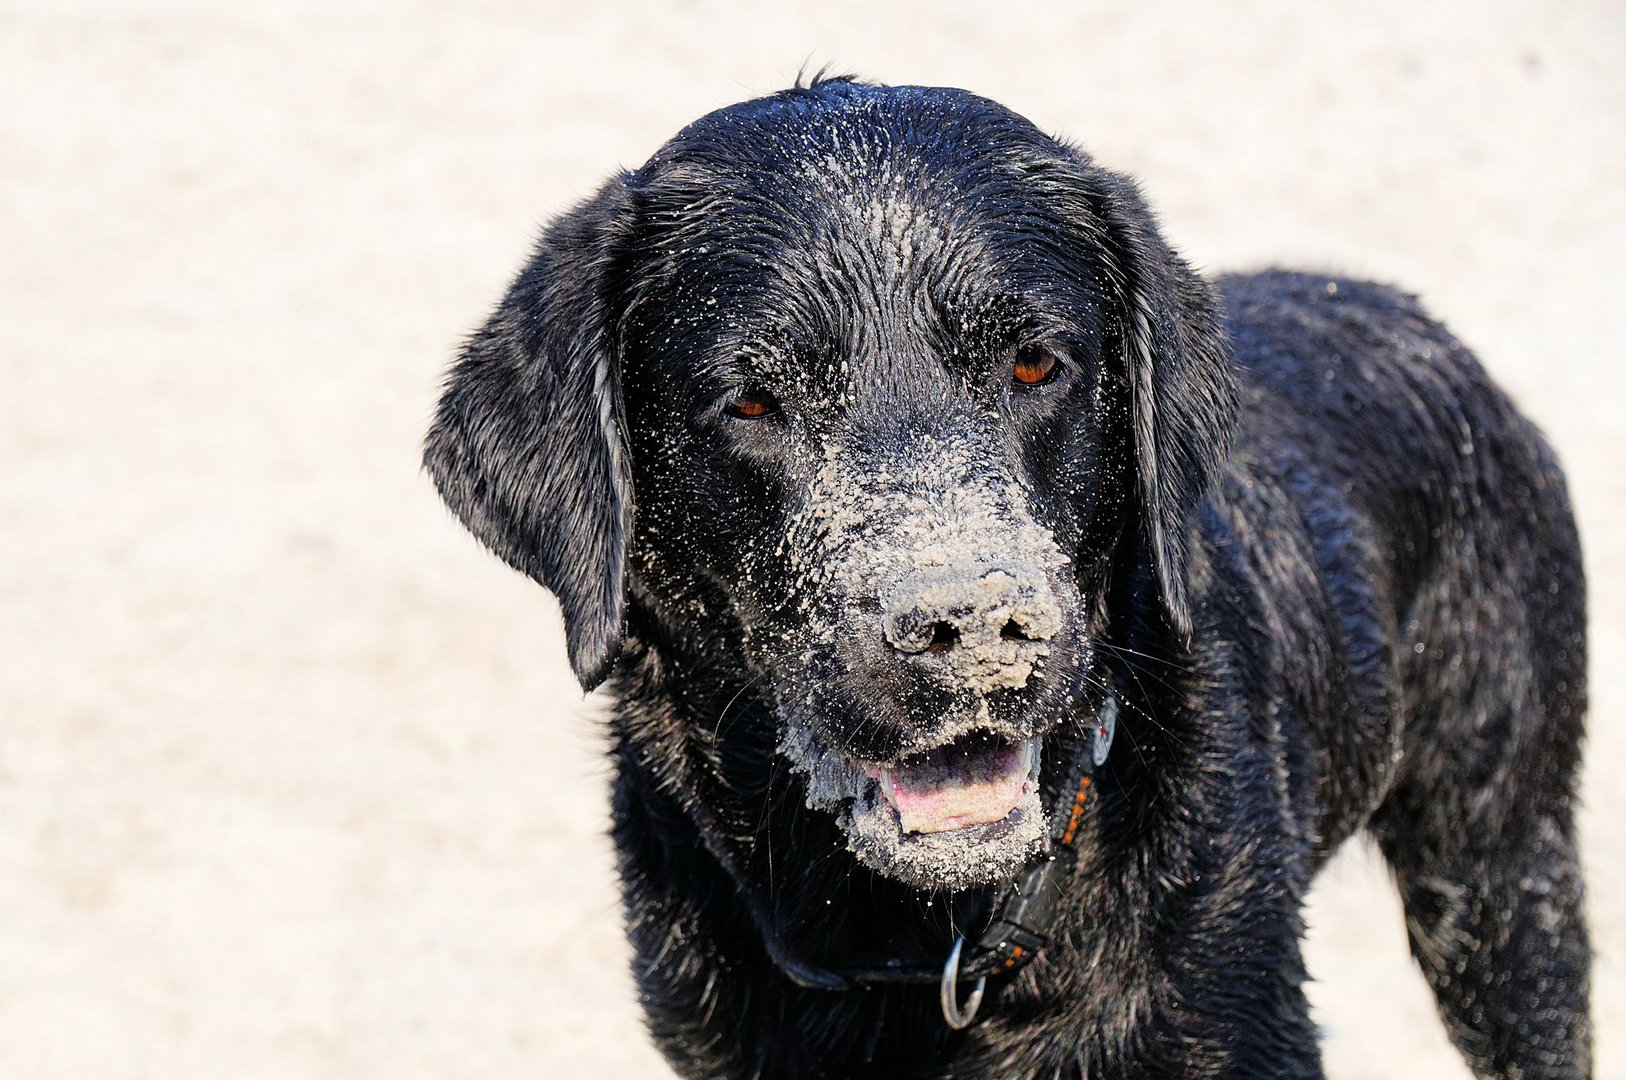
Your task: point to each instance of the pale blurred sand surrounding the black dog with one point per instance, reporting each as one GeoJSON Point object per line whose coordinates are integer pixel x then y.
{"type": "Point", "coordinates": [293, 778]}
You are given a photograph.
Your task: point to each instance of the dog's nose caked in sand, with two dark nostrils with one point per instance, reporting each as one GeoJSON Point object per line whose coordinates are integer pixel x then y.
{"type": "Point", "coordinates": [972, 616]}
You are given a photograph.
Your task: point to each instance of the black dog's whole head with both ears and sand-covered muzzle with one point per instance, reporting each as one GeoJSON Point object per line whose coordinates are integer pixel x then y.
{"type": "Point", "coordinates": [895, 383]}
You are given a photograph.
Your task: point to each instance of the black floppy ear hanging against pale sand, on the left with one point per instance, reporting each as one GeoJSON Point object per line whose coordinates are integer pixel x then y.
{"type": "Point", "coordinates": [528, 443]}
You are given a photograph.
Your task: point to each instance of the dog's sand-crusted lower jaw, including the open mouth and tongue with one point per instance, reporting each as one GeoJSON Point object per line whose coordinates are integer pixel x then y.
{"type": "Point", "coordinates": [955, 817]}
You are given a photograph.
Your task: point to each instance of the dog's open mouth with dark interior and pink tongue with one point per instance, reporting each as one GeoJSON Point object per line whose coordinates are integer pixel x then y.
{"type": "Point", "coordinates": [978, 780]}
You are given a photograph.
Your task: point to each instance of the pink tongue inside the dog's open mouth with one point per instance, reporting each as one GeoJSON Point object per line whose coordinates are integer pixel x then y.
{"type": "Point", "coordinates": [973, 790]}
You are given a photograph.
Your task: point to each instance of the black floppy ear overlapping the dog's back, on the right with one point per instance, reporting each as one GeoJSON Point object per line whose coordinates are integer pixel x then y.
{"type": "Point", "coordinates": [1183, 385]}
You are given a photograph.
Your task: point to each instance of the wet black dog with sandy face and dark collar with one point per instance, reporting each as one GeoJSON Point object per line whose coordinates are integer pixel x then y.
{"type": "Point", "coordinates": [947, 469]}
